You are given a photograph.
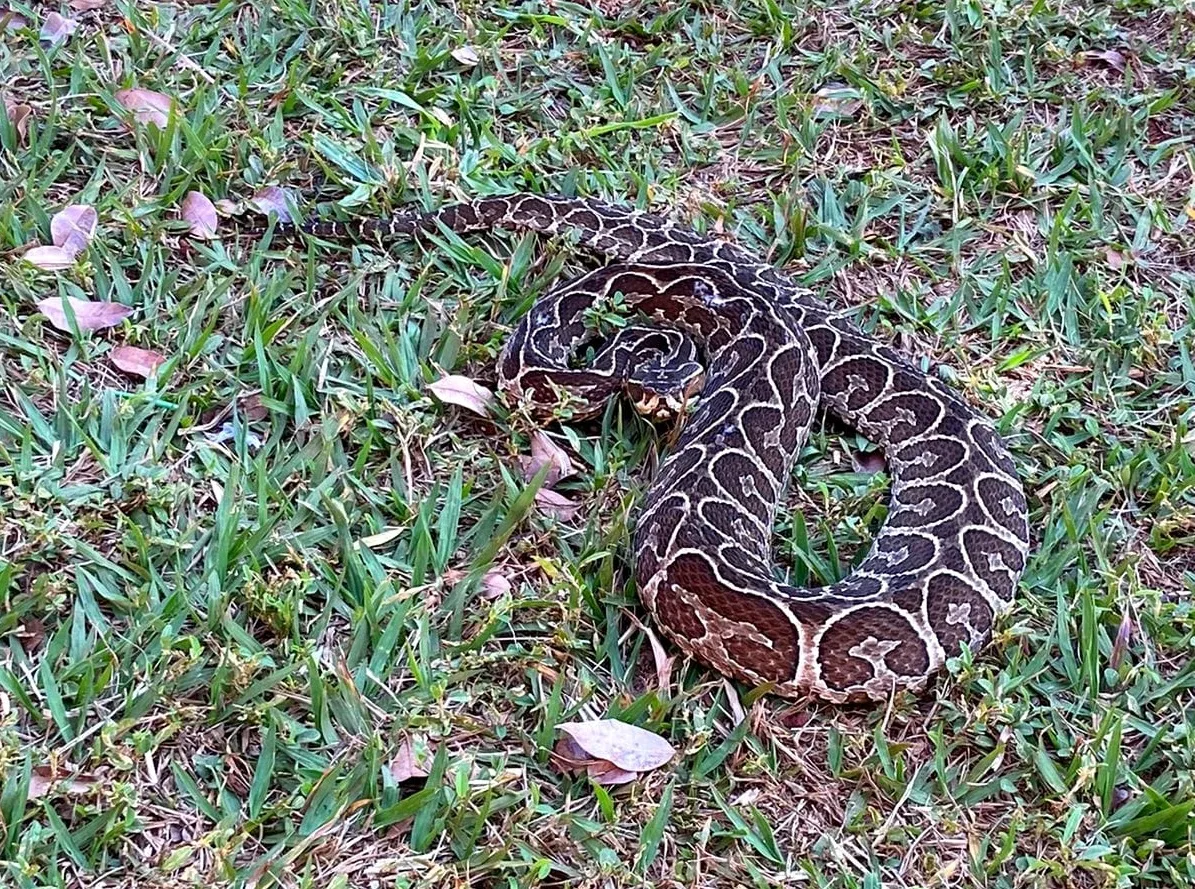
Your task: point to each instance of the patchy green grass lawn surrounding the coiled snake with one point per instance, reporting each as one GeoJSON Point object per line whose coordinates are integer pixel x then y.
{"type": "Point", "coordinates": [234, 596]}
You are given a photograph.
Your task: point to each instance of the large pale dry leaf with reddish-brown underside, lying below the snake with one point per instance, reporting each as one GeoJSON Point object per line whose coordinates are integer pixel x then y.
{"type": "Point", "coordinates": [611, 751]}
